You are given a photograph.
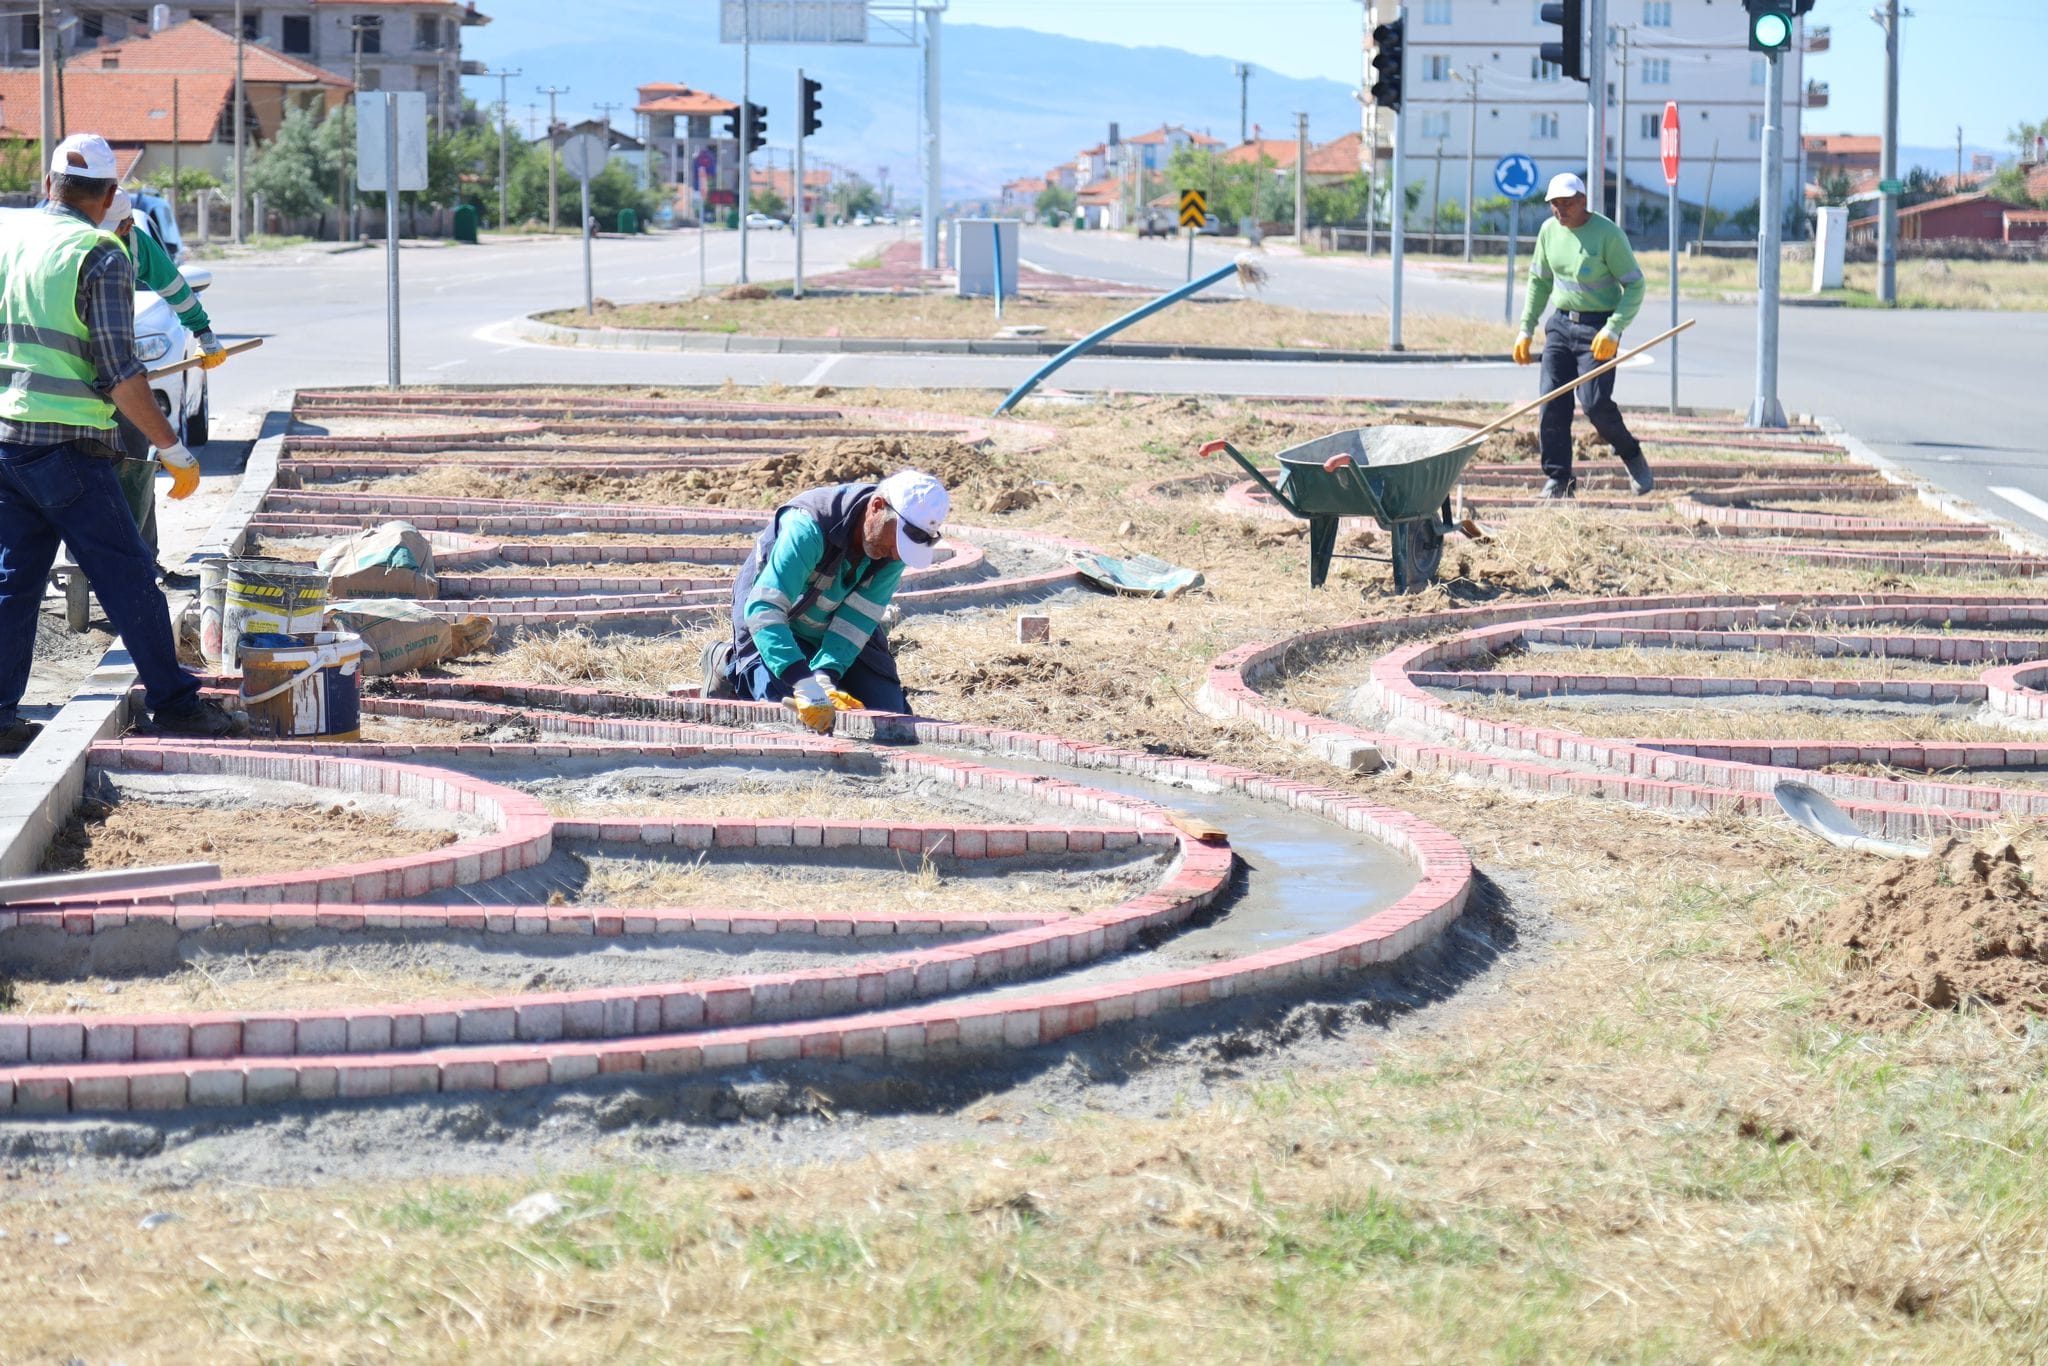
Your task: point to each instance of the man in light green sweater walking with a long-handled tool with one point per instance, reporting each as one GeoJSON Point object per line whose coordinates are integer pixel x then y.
{"type": "Point", "coordinates": [1584, 263]}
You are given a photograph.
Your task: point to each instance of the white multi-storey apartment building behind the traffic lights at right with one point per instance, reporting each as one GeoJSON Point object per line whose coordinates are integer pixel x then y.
{"type": "Point", "coordinates": [1695, 52]}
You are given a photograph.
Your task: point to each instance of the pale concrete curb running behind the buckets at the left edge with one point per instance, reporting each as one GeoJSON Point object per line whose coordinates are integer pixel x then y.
{"type": "Point", "coordinates": [42, 787]}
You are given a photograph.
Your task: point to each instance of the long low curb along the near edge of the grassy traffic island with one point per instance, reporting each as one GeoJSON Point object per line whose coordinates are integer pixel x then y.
{"type": "Point", "coordinates": [708, 343]}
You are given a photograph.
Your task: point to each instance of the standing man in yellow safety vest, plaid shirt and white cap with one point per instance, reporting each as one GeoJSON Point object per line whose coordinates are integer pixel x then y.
{"type": "Point", "coordinates": [67, 366]}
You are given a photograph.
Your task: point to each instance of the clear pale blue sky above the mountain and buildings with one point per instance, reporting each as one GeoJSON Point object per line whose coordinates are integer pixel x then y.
{"type": "Point", "coordinates": [1971, 62]}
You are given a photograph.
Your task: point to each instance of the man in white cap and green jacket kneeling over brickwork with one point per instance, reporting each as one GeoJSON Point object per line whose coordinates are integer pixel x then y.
{"type": "Point", "coordinates": [810, 599]}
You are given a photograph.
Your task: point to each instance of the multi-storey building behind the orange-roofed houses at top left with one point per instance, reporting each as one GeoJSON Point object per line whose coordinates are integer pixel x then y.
{"type": "Point", "coordinates": [374, 44]}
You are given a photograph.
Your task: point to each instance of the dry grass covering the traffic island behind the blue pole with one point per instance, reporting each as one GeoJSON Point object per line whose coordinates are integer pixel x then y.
{"type": "Point", "coordinates": [1226, 323]}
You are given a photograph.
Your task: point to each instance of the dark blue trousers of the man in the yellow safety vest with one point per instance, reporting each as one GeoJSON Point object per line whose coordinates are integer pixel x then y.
{"type": "Point", "coordinates": [52, 495]}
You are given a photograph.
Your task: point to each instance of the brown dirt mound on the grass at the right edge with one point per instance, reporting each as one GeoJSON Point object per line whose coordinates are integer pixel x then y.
{"type": "Point", "coordinates": [1967, 925]}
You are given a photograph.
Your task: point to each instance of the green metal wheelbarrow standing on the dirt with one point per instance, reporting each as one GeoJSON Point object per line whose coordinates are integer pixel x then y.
{"type": "Point", "coordinates": [1400, 476]}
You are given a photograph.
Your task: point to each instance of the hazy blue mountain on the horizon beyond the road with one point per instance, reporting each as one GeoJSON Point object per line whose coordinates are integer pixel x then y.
{"type": "Point", "coordinates": [1015, 101]}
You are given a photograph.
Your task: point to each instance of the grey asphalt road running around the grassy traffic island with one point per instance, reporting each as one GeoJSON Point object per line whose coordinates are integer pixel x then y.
{"type": "Point", "coordinates": [1947, 394]}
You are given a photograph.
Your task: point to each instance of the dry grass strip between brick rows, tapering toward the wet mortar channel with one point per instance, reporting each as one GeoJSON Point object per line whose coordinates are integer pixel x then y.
{"type": "Point", "coordinates": [916, 884]}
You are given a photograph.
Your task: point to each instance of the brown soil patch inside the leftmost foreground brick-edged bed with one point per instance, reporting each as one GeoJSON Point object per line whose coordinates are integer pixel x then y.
{"type": "Point", "coordinates": [142, 835]}
